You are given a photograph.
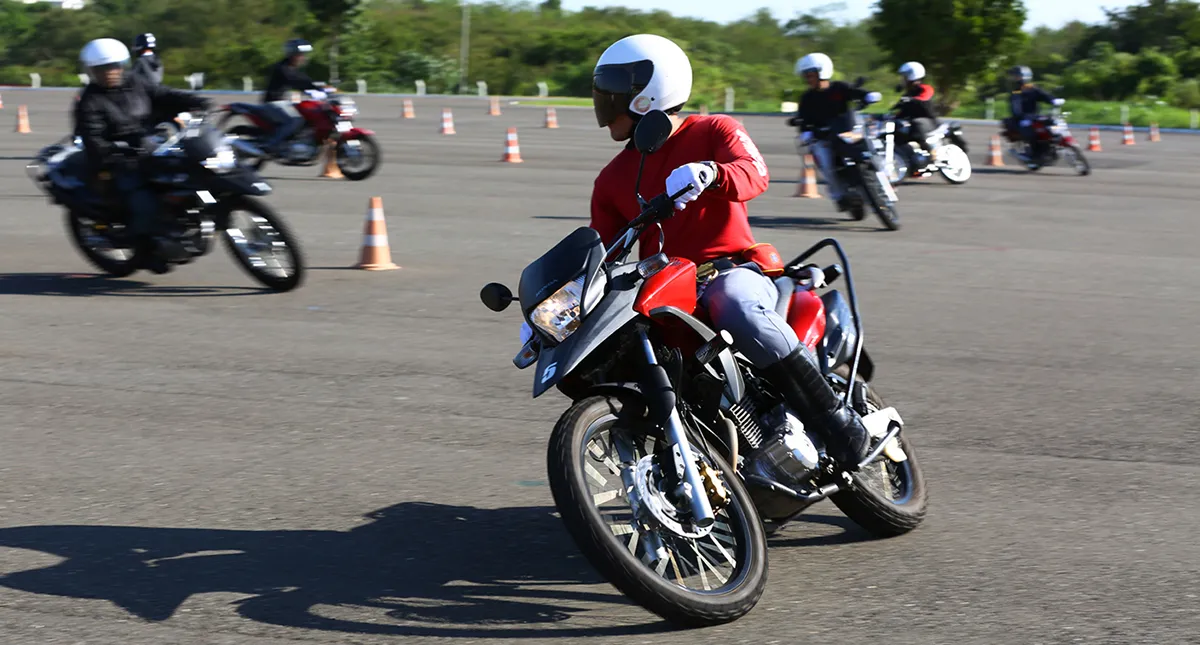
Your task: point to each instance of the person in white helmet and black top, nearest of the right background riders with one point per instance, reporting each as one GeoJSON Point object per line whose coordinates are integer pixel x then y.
{"type": "Point", "coordinates": [826, 104]}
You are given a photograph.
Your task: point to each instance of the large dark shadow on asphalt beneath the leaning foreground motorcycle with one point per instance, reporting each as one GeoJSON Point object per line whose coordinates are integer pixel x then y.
{"type": "Point", "coordinates": [433, 570]}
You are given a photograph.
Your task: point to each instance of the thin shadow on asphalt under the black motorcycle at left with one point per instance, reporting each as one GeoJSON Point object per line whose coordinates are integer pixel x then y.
{"type": "Point", "coordinates": [98, 285]}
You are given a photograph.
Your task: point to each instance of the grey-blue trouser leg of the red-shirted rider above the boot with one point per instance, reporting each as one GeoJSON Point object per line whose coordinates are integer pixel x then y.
{"type": "Point", "coordinates": [742, 302]}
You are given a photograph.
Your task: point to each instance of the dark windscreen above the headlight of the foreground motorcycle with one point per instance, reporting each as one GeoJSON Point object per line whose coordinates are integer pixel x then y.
{"type": "Point", "coordinates": [579, 254]}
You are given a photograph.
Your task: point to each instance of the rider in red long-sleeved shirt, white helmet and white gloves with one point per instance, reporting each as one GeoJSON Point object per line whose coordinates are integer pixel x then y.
{"type": "Point", "coordinates": [715, 154]}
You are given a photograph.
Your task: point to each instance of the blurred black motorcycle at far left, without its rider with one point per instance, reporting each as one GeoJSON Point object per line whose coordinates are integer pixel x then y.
{"type": "Point", "coordinates": [202, 191]}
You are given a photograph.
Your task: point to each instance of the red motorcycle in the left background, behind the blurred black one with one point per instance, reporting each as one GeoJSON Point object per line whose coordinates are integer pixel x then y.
{"type": "Point", "coordinates": [326, 120]}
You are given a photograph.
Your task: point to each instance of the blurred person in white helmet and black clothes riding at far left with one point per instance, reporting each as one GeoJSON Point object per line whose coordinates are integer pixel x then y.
{"type": "Point", "coordinates": [115, 116]}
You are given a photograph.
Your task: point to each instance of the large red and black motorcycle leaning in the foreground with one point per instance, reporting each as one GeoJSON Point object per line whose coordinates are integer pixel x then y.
{"type": "Point", "coordinates": [676, 448]}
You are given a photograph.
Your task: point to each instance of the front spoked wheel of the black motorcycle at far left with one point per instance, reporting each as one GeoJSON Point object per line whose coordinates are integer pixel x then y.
{"type": "Point", "coordinates": [263, 245]}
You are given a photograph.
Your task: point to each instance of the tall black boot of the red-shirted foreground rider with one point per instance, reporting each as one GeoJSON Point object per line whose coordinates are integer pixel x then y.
{"type": "Point", "coordinates": [800, 381]}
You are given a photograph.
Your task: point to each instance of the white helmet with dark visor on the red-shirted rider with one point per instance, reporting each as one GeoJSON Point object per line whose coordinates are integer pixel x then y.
{"type": "Point", "coordinates": [638, 75]}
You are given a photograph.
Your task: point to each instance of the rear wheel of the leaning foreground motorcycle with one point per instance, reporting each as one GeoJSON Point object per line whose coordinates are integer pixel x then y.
{"type": "Point", "coordinates": [889, 498]}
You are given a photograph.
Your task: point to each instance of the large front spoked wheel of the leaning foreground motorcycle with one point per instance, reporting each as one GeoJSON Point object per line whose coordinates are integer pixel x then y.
{"type": "Point", "coordinates": [611, 493]}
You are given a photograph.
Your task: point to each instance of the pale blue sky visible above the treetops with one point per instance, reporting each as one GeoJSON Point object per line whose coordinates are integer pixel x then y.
{"type": "Point", "coordinates": [1041, 13]}
